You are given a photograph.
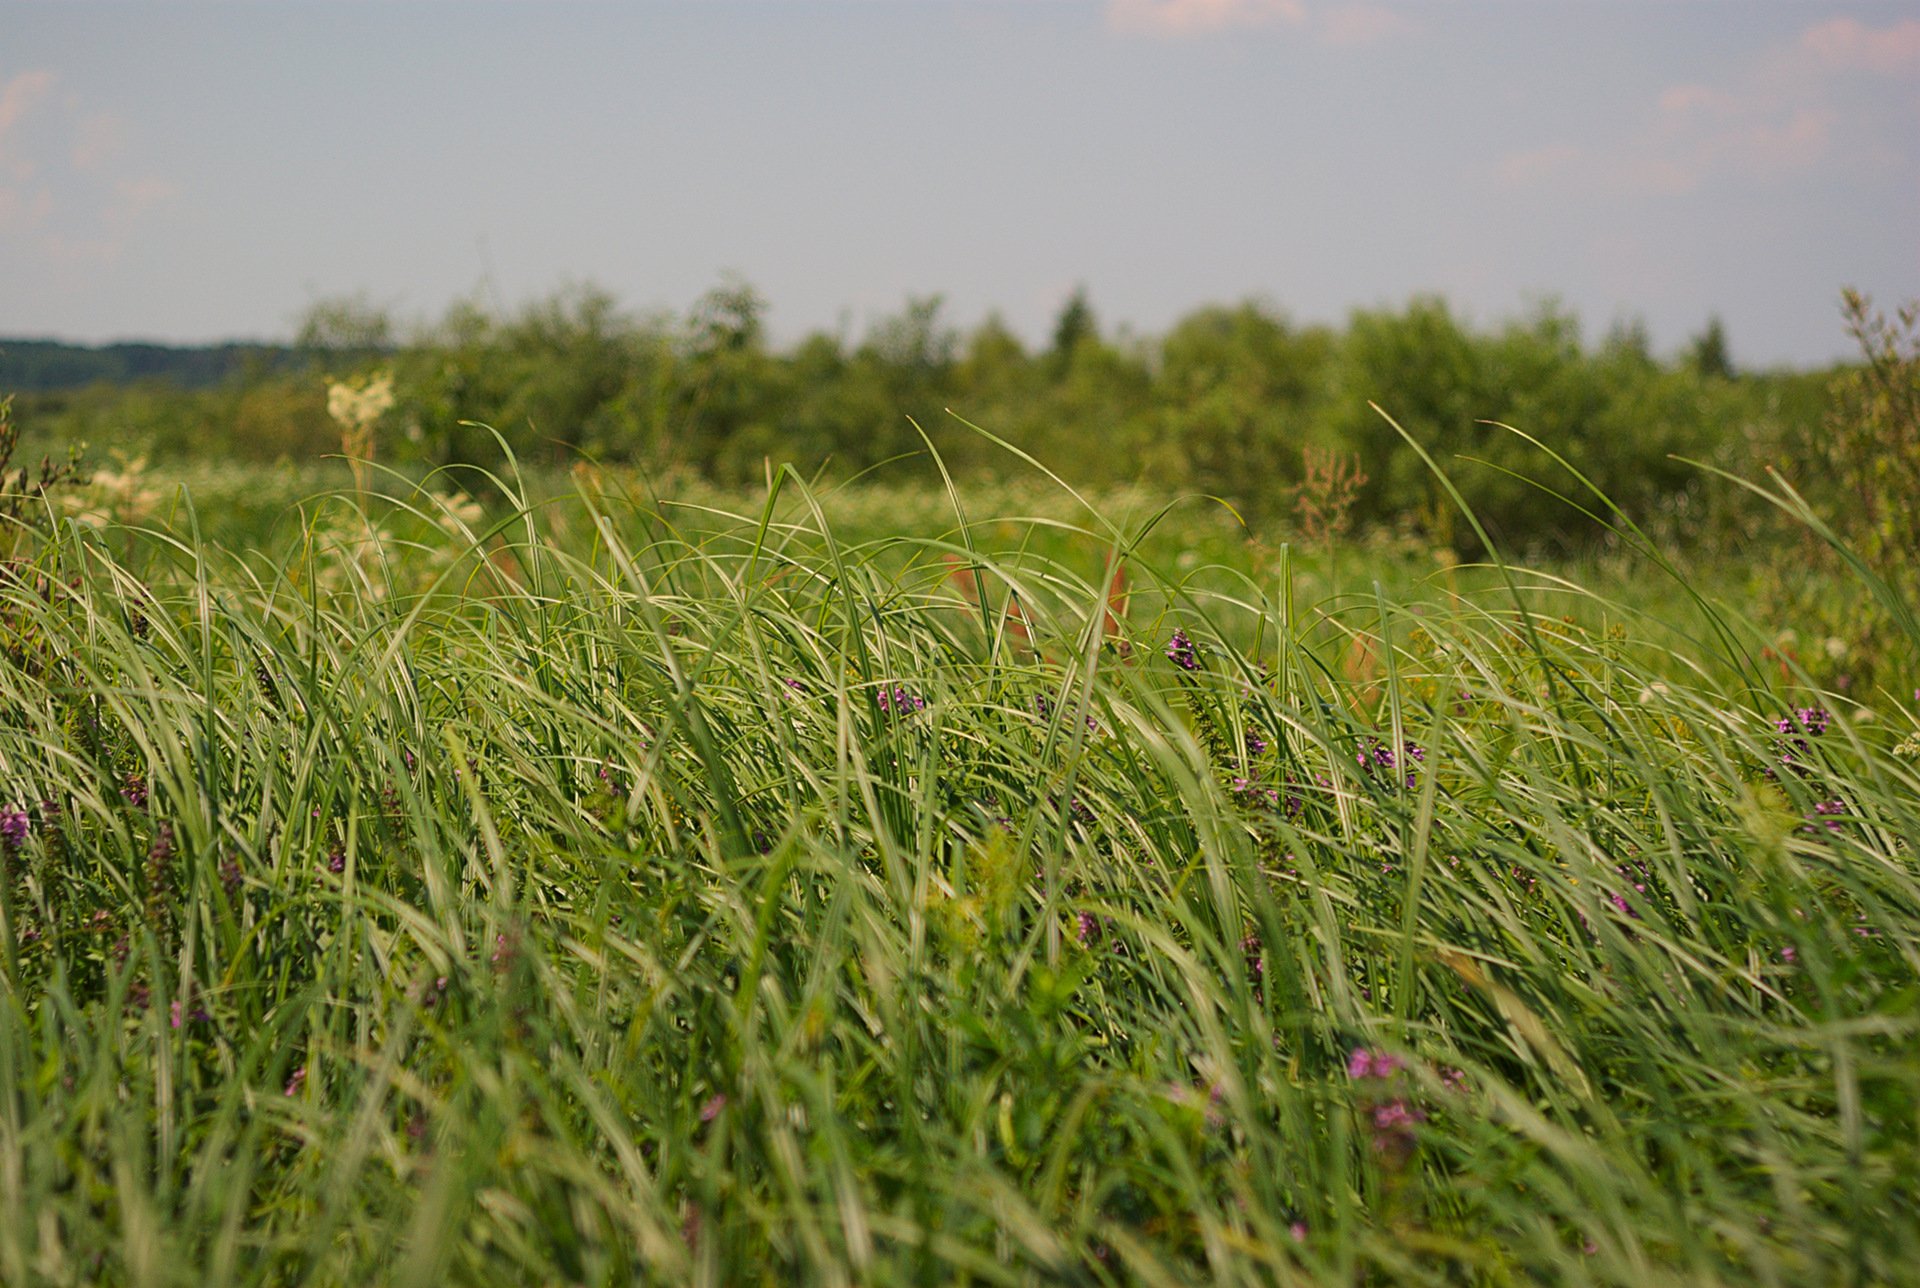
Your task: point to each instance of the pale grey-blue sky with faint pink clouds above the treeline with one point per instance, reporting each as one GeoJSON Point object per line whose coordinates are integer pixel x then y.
{"type": "Point", "coordinates": [197, 172]}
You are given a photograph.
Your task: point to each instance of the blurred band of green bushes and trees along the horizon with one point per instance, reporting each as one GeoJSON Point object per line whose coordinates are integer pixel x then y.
{"type": "Point", "coordinates": [1234, 402]}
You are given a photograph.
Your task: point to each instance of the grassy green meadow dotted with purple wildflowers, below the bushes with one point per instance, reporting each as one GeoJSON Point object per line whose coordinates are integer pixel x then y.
{"type": "Point", "coordinates": [853, 886]}
